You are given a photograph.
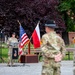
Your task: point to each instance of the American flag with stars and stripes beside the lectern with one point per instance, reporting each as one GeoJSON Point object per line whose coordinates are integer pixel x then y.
{"type": "Point", "coordinates": [23, 40]}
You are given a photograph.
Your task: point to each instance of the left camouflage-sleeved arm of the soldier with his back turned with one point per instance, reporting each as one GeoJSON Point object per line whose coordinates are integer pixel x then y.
{"type": "Point", "coordinates": [46, 52]}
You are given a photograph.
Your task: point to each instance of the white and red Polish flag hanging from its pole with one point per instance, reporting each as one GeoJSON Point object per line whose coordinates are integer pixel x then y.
{"type": "Point", "coordinates": [36, 37]}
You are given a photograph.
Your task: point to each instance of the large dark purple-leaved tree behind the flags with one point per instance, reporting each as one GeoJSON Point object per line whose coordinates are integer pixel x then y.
{"type": "Point", "coordinates": [28, 12]}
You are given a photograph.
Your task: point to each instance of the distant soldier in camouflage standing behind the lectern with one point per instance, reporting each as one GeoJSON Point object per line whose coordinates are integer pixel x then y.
{"type": "Point", "coordinates": [12, 41]}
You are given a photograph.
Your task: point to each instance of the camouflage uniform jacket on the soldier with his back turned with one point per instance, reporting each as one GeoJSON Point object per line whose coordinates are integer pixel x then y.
{"type": "Point", "coordinates": [52, 44]}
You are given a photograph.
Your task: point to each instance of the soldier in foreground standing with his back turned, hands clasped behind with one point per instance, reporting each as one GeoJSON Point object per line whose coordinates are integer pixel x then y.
{"type": "Point", "coordinates": [53, 49]}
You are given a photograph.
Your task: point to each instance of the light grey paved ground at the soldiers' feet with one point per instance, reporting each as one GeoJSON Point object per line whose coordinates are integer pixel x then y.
{"type": "Point", "coordinates": [33, 69]}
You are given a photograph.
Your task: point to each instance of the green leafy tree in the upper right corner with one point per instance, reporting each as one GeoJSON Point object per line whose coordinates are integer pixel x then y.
{"type": "Point", "coordinates": [67, 8]}
